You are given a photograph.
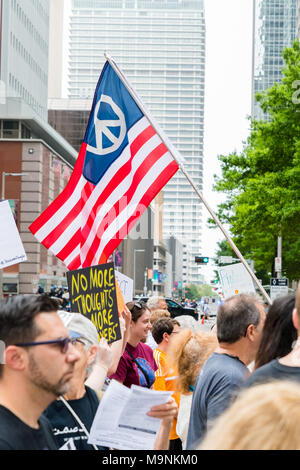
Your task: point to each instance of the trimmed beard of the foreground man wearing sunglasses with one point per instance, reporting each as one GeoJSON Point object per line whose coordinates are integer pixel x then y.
{"type": "Point", "coordinates": [38, 379]}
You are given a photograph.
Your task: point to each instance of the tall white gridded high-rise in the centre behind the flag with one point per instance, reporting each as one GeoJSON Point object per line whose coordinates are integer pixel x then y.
{"type": "Point", "coordinates": [160, 45]}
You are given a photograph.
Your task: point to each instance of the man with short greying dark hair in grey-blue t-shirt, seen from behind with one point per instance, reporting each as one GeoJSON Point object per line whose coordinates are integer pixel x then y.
{"type": "Point", "coordinates": [240, 323]}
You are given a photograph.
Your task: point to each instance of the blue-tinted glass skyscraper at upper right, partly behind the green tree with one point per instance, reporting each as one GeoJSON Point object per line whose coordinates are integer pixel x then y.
{"type": "Point", "coordinates": [274, 29]}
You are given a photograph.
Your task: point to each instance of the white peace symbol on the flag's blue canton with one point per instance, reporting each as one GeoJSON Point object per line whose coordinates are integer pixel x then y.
{"type": "Point", "coordinates": [102, 127]}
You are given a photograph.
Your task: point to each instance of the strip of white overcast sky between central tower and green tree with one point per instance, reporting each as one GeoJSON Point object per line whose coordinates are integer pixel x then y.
{"type": "Point", "coordinates": [227, 96]}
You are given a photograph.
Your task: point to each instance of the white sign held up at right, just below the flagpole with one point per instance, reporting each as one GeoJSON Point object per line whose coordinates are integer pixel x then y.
{"type": "Point", "coordinates": [235, 280]}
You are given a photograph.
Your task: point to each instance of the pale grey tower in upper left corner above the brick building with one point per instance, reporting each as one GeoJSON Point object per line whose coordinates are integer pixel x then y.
{"type": "Point", "coordinates": [24, 37]}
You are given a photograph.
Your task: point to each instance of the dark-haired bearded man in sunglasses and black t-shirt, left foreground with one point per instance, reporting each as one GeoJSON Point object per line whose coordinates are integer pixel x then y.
{"type": "Point", "coordinates": [37, 365]}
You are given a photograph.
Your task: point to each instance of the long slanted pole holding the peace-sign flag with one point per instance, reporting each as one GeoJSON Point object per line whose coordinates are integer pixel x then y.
{"type": "Point", "coordinates": [178, 159]}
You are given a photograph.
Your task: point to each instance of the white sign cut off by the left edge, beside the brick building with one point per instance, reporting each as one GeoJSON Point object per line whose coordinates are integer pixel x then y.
{"type": "Point", "coordinates": [11, 247]}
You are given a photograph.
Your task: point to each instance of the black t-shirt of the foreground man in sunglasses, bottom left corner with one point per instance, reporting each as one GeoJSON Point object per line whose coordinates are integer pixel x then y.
{"type": "Point", "coordinates": [16, 435]}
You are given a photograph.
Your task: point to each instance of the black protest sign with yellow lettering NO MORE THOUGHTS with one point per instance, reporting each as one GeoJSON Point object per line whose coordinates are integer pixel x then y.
{"type": "Point", "coordinates": [93, 293]}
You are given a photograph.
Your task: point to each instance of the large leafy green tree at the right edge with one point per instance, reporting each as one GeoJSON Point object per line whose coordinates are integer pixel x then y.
{"type": "Point", "coordinates": [262, 184]}
